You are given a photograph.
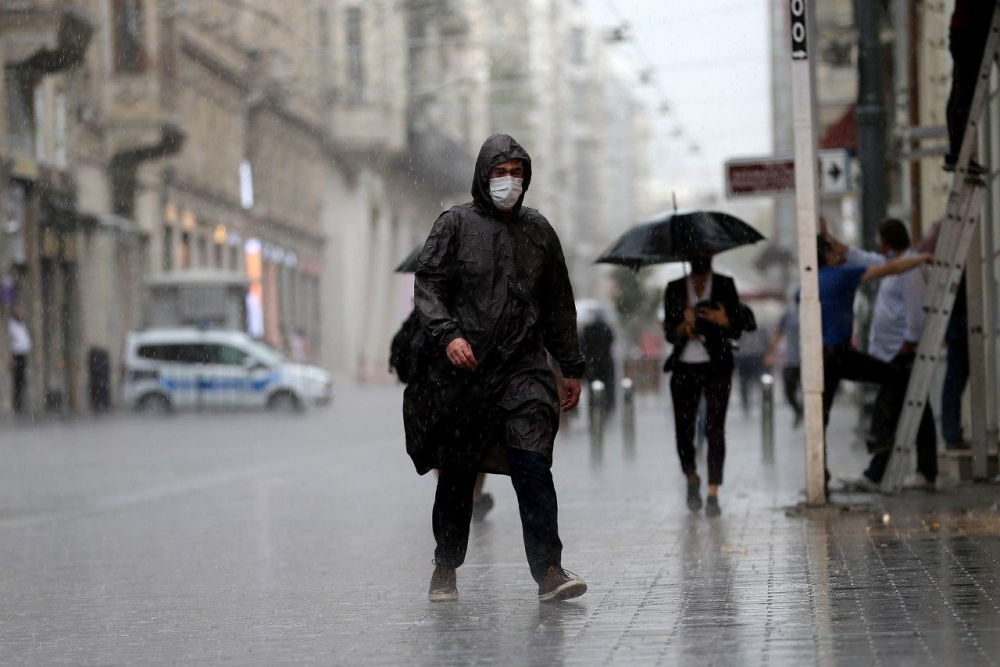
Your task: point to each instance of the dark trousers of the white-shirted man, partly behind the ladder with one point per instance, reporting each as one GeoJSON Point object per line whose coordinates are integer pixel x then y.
{"type": "Point", "coordinates": [888, 408]}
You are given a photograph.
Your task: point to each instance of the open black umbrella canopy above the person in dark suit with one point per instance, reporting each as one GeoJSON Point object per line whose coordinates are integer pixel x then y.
{"type": "Point", "coordinates": [678, 236]}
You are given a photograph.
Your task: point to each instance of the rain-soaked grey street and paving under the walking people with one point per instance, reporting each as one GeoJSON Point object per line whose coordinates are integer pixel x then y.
{"type": "Point", "coordinates": [250, 539]}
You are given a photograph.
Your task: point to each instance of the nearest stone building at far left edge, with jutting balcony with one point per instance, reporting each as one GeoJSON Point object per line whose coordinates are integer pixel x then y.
{"type": "Point", "coordinates": [42, 241]}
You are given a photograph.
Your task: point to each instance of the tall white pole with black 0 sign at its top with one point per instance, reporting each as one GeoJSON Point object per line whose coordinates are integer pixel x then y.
{"type": "Point", "coordinates": [806, 204]}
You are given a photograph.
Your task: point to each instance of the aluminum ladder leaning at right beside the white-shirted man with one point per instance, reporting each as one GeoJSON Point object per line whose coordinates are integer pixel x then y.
{"type": "Point", "coordinates": [965, 202]}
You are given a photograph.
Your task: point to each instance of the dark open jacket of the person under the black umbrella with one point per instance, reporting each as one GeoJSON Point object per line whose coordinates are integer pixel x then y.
{"type": "Point", "coordinates": [718, 341]}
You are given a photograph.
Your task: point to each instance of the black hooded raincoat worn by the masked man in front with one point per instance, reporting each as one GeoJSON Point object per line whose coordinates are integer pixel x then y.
{"type": "Point", "coordinates": [502, 285]}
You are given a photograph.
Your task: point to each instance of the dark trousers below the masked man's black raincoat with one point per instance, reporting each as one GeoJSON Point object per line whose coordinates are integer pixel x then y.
{"type": "Point", "coordinates": [531, 476]}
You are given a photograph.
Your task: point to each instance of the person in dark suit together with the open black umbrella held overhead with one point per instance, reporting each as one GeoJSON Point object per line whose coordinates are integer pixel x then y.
{"type": "Point", "coordinates": [702, 317]}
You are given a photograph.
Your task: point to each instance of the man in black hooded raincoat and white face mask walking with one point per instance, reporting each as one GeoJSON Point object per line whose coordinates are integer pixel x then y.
{"type": "Point", "coordinates": [493, 295]}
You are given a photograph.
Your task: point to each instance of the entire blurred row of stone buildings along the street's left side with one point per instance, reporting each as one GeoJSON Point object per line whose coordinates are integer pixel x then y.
{"type": "Point", "coordinates": [264, 165]}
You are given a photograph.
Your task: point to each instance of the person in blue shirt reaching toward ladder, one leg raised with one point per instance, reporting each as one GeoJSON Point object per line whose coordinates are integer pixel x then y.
{"type": "Point", "coordinates": [838, 283]}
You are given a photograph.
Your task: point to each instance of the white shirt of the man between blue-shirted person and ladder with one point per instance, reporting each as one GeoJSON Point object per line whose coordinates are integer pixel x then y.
{"type": "Point", "coordinates": [898, 314]}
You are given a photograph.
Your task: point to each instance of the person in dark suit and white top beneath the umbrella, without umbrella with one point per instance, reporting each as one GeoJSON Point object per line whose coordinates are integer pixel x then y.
{"type": "Point", "coordinates": [702, 316]}
